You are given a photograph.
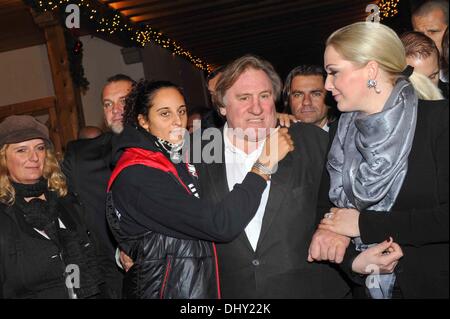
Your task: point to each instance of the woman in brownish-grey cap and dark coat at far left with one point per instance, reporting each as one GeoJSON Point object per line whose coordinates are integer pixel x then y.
{"type": "Point", "coordinates": [45, 248]}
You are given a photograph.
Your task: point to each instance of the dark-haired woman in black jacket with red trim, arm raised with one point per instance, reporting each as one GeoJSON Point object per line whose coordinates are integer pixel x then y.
{"type": "Point", "coordinates": [154, 207]}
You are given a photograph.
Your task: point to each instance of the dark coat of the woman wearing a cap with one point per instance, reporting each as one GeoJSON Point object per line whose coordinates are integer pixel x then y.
{"type": "Point", "coordinates": [31, 266]}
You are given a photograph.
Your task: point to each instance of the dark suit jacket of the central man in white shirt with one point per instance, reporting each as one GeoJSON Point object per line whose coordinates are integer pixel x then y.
{"type": "Point", "coordinates": [279, 267]}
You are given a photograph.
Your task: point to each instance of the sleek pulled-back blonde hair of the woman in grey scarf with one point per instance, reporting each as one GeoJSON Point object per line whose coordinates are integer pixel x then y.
{"type": "Point", "coordinates": [363, 42]}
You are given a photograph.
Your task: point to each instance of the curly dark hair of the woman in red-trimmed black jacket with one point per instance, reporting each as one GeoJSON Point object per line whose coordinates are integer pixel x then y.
{"type": "Point", "coordinates": [140, 99]}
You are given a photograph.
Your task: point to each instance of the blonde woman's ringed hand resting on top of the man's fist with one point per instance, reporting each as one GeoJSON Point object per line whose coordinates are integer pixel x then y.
{"type": "Point", "coordinates": [343, 221]}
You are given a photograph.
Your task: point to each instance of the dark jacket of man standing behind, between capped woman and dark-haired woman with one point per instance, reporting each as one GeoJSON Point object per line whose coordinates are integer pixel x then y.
{"type": "Point", "coordinates": [87, 168]}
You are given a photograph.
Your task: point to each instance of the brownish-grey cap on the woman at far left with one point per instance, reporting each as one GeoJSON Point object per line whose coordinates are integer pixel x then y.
{"type": "Point", "coordinates": [20, 128]}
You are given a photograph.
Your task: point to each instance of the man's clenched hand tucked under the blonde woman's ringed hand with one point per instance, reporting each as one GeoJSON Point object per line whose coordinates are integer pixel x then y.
{"type": "Point", "coordinates": [326, 245]}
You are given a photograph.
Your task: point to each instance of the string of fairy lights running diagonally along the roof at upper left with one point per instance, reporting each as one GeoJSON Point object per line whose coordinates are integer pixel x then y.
{"type": "Point", "coordinates": [114, 23]}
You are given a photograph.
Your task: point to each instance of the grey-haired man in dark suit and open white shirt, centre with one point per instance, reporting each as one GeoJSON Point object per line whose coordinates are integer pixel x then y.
{"type": "Point", "coordinates": [269, 259]}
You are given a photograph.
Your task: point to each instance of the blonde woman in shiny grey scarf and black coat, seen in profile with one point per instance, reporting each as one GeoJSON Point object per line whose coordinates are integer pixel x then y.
{"type": "Point", "coordinates": [387, 168]}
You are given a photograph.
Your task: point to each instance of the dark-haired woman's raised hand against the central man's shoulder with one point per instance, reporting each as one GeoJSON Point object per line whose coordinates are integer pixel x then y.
{"type": "Point", "coordinates": [277, 145]}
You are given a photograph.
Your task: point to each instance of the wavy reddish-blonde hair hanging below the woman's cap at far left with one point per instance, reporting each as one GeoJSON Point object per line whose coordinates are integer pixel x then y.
{"type": "Point", "coordinates": [56, 181]}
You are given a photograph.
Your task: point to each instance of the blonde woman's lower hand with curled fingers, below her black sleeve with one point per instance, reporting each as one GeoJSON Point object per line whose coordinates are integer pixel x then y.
{"type": "Point", "coordinates": [381, 258]}
